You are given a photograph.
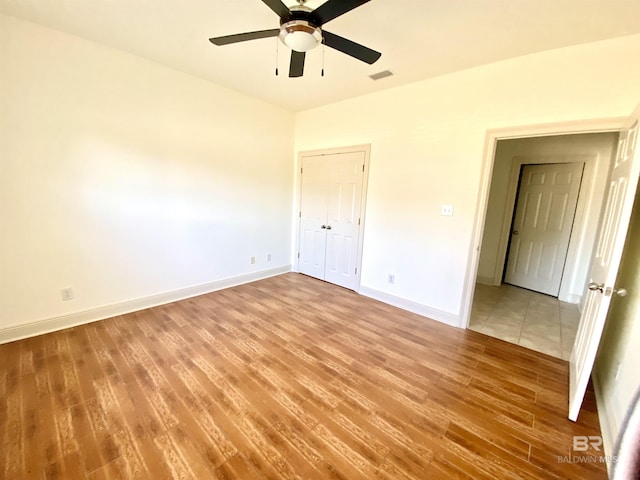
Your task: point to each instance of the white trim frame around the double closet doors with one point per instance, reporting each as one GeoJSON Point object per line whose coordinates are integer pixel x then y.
{"type": "Point", "coordinates": [366, 149]}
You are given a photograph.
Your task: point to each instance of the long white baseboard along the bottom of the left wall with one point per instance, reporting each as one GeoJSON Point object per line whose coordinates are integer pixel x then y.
{"type": "Point", "coordinates": [87, 316]}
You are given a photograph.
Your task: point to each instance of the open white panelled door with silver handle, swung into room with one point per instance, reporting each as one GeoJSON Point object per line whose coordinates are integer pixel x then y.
{"type": "Point", "coordinates": [606, 261]}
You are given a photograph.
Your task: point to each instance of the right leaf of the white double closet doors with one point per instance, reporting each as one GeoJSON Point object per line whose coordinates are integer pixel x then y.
{"type": "Point", "coordinates": [344, 195]}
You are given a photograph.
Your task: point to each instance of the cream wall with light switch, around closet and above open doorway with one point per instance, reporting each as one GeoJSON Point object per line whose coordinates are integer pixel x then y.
{"type": "Point", "coordinates": [427, 142]}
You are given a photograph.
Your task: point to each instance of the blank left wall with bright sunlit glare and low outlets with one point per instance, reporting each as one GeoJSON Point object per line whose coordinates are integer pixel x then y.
{"type": "Point", "coordinates": [125, 179]}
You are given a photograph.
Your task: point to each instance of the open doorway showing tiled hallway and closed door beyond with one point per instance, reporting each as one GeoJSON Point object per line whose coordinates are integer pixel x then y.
{"type": "Point", "coordinates": [528, 290]}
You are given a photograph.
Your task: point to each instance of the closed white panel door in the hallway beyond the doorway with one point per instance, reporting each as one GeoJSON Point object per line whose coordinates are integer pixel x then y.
{"type": "Point", "coordinates": [547, 199]}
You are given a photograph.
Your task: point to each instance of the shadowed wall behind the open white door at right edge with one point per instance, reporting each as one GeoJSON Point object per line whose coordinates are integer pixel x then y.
{"type": "Point", "coordinates": [620, 345]}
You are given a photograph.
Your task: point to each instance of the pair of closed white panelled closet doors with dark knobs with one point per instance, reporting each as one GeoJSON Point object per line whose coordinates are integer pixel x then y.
{"type": "Point", "coordinates": [331, 198]}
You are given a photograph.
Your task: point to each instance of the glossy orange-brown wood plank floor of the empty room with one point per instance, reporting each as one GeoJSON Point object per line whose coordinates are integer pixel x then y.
{"type": "Point", "coordinates": [284, 378]}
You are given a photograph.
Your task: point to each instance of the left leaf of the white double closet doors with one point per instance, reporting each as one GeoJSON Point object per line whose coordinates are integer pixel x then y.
{"type": "Point", "coordinates": [313, 218]}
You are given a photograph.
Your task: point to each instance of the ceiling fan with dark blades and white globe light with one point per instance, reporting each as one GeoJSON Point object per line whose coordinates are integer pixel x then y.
{"type": "Point", "coordinates": [301, 30]}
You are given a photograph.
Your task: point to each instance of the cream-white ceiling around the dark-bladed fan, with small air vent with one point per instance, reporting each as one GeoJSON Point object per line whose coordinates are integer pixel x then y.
{"type": "Point", "coordinates": [418, 38]}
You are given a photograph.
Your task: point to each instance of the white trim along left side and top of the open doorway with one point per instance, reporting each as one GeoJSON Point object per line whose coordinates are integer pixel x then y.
{"type": "Point", "coordinates": [491, 140]}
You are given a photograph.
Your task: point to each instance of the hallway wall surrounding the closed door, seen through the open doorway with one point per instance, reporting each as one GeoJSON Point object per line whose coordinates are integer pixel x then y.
{"type": "Point", "coordinates": [596, 150]}
